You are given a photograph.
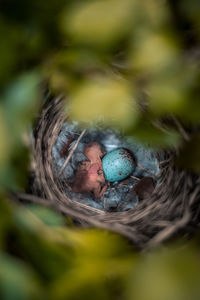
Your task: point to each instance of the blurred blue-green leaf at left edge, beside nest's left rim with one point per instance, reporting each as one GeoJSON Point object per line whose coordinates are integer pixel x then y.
{"type": "Point", "coordinates": [20, 103]}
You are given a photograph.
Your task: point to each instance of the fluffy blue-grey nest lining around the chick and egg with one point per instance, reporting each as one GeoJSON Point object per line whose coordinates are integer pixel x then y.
{"type": "Point", "coordinates": [119, 195]}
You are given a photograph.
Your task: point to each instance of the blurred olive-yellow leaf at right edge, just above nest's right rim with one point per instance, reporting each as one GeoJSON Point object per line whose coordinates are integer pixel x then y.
{"type": "Point", "coordinates": [170, 92]}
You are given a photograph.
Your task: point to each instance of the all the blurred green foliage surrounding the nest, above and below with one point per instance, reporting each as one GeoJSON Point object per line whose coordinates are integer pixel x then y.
{"type": "Point", "coordinates": [121, 63]}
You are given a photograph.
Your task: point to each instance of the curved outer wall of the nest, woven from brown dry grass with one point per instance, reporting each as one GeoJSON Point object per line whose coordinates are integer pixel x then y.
{"type": "Point", "coordinates": [173, 208]}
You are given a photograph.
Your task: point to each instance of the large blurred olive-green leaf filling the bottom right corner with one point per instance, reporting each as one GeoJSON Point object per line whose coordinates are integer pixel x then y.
{"type": "Point", "coordinates": [172, 274]}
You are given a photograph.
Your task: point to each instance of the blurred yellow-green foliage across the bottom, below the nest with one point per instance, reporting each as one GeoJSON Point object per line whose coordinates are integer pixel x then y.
{"type": "Point", "coordinates": [42, 260]}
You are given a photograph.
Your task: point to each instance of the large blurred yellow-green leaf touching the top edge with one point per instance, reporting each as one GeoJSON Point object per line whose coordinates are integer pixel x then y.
{"type": "Point", "coordinates": [99, 23]}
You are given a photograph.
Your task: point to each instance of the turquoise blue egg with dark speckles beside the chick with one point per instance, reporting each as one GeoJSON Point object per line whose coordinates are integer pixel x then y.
{"type": "Point", "coordinates": [118, 164]}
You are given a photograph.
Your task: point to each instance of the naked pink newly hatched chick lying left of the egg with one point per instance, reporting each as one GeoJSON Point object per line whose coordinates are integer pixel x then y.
{"type": "Point", "coordinates": [90, 177]}
